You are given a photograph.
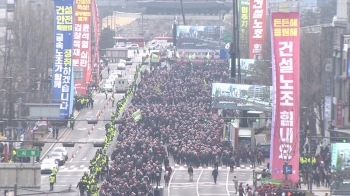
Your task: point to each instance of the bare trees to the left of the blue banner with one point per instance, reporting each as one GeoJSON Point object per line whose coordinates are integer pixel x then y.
{"type": "Point", "coordinates": [31, 45]}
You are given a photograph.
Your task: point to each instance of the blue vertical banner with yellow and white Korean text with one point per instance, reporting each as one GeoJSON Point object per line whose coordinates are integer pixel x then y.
{"type": "Point", "coordinates": [62, 66]}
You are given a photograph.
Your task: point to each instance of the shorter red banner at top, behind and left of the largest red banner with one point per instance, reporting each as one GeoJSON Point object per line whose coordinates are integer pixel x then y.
{"type": "Point", "coordinates": [257, 28]}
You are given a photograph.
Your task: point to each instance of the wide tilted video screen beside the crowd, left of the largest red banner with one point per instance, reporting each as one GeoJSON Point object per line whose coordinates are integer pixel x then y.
{"type": "Point", "coordinates": [242, 94]}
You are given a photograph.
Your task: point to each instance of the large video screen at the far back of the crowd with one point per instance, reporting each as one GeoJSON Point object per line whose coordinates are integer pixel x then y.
{"type": "Point", "coordinates": [210, 38]}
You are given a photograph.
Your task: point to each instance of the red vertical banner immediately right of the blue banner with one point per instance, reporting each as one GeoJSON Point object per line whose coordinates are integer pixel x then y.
{"type": "Point", "coordinates": [82, 45]}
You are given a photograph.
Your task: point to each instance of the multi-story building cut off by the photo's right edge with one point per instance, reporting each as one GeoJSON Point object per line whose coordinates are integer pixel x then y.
{"type": "Point", "coordinates": [340, 110]}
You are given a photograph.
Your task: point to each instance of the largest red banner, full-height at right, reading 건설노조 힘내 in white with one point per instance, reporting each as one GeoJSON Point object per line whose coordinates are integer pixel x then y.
{"type": "Point", "coordinates": [285, 133]}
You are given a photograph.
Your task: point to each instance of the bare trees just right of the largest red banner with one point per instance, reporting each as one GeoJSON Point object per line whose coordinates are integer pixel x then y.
{"type": "Point", "coordinates": [314, 51]}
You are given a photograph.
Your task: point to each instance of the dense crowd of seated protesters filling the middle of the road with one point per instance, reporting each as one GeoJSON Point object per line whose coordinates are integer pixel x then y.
{"type": "Point", "coordinates": [173, 102]}
